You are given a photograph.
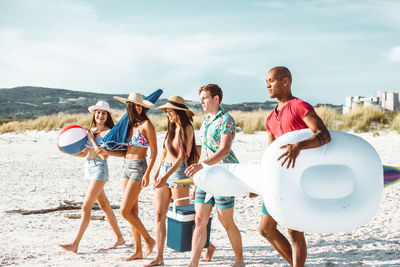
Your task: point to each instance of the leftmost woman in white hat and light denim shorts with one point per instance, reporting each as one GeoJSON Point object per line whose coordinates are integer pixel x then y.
{"type": "Point", "coordinates": [96, 174]}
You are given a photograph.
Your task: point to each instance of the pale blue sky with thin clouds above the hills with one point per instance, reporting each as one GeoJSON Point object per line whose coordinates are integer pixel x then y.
{"type": "Point", "coordinates": [334, 48]}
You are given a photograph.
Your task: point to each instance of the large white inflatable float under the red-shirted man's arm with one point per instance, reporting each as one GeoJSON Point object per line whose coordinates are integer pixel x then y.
{"type": "Point", "coordinates": [333, 188]}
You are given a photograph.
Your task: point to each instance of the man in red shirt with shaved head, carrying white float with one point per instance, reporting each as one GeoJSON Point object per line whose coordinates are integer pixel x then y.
{"type": "Point", "coordinates": [289, 115]}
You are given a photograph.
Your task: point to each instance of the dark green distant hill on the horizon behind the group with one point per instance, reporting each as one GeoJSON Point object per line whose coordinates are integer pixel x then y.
{"type": "Point", "coordinates": [27, 102]}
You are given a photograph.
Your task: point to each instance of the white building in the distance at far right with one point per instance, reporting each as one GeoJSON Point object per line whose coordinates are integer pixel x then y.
{"type": "Point", "coordinates": [388, 101]}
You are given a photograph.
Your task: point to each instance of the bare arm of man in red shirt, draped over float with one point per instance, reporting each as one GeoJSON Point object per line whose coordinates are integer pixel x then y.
{"type": "Point", "coordinates": [321, 137]}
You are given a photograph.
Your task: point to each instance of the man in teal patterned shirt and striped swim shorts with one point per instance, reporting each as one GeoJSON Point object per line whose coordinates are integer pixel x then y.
{"type": "Point", "coordinates": [216, 136]}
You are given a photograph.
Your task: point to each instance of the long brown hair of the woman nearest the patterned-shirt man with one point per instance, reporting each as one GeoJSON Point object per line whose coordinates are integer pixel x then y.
{"type": "Point", "coordinates": [184, 120]}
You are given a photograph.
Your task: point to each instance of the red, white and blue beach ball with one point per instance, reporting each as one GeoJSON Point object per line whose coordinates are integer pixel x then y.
{"type": "Point", "coordinates": [72, 139]}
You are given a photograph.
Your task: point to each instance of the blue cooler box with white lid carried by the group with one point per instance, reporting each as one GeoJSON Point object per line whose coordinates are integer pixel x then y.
{"type": "Point", "coordinates": [180, 227]}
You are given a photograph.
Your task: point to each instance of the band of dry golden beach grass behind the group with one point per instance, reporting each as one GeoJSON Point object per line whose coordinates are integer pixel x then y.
{"type": "Point", "coordinates": [365, 119]}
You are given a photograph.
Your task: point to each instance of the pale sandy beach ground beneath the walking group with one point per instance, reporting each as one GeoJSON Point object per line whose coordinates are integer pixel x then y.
{"type": "Point", "coordinates": [35, 175]}
